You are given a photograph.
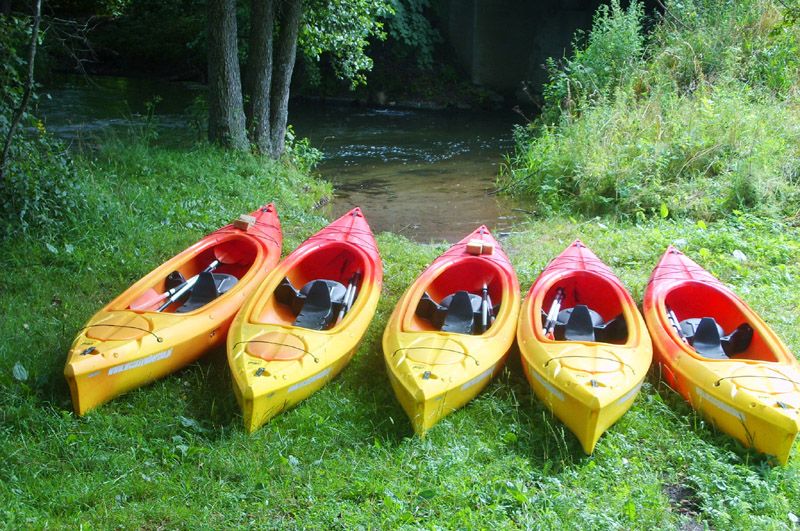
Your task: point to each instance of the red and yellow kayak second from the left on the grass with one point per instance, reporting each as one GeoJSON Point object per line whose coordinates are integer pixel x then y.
{"type": "Point", "coordinates": [304, 323]}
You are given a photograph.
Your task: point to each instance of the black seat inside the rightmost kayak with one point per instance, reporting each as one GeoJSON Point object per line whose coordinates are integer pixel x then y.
{"type": "Point", "coordinates": [708, 339]}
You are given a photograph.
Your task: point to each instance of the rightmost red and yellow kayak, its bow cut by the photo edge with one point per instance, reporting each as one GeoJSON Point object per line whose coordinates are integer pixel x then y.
{"type": "Point", "coordinates": [722, 358]}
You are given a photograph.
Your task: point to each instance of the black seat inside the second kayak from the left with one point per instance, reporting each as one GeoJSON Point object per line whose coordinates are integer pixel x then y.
{"type": "Point", "coordinates": [316, 304]}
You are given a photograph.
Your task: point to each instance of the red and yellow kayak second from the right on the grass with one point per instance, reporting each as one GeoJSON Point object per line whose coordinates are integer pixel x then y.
{"type": "Point", "coordinates": [584, 345]}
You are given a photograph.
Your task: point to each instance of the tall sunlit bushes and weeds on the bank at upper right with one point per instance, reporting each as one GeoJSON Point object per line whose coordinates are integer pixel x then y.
{"type": "Point", "coordinates": [706, 124]}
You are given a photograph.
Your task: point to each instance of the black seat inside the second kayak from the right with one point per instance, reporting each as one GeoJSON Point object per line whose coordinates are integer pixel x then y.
{"type": "Point", "coordinates": [581, 323]}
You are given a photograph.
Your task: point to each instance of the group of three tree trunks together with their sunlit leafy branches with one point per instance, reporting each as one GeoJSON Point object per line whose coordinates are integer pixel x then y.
{"type": "Point", "coordinates": [340, 28]}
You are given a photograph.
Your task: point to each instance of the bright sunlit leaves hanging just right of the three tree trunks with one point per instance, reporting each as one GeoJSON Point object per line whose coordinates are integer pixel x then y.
{"type": "Point", "coordinates": [342, 29]}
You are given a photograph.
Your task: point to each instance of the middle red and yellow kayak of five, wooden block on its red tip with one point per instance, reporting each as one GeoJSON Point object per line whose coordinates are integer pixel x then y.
{"type": "Point", "coordinates": [451, 330]}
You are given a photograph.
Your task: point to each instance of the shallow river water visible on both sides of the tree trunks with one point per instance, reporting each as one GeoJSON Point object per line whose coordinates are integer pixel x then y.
{"type": "Point", "coordinates": [425, 174]}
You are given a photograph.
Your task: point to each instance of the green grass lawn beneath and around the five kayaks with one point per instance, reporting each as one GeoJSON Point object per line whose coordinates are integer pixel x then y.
{"type": "Point", "coordinates": [174, 454]}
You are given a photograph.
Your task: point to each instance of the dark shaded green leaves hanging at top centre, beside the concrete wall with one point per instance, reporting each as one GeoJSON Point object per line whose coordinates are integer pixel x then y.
{"type": "Point", "coordinates": [411, 31]}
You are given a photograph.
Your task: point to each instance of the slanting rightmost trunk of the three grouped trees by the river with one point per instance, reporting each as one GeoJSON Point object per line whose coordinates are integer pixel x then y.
{"type": "Point", "coordinates": [282, 79]}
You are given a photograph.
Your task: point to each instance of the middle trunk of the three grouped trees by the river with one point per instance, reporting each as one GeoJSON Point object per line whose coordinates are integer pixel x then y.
{"type": "Point", "coordinates": [259, 73]}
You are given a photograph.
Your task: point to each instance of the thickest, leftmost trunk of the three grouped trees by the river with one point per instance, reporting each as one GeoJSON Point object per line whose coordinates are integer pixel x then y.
{"type": "Point", "coordinates": [226, 122]}
